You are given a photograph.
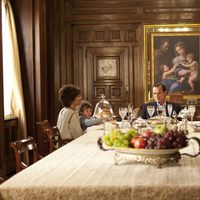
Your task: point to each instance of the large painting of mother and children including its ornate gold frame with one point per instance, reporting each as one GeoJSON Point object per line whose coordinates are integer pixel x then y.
{"type": "Point", "coordinates": [172, 57]}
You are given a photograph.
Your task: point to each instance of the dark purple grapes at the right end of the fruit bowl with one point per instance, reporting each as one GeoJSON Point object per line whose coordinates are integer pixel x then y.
{"type": "Point", "coordinates": [169, 140]}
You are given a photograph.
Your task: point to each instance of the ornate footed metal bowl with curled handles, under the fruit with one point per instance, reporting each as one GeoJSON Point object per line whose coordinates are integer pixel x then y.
{"type": "Point", "coordinates": [156, 157]}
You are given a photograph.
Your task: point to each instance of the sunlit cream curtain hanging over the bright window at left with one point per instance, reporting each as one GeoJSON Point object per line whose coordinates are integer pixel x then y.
{"type": "Point", "coordinates": [11, 68]}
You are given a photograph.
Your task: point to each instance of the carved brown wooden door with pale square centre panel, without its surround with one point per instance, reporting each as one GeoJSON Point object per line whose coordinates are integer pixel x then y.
{"type": "Point", "coordinates": [108, 72]}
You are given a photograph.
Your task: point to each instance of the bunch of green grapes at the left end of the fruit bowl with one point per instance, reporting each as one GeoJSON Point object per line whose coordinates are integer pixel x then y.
{"type": "Point", "coordinates": [117, 138]}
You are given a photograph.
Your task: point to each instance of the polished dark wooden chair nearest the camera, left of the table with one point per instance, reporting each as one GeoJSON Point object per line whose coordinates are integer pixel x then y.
{"type": "Point", "coordinates": [25, 149]}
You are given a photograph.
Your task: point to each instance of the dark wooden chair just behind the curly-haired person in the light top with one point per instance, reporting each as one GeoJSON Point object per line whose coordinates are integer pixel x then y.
{"type": "Point", "coordinates": [52, 135]}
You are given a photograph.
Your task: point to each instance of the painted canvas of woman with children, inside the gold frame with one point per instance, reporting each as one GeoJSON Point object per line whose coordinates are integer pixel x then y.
{"type": "Point", "coordinates": [176, 63]}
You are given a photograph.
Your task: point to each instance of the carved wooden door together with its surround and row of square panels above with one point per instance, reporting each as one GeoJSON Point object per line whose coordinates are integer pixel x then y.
{"type": "Point", "coordinates": [95, 44]}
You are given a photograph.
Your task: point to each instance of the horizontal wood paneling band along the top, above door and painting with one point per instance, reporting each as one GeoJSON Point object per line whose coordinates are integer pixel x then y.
{"type": "Point", "coordinates": [134, 11]}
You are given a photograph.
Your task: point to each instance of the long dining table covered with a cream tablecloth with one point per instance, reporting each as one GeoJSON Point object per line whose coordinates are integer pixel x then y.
{"type": "Point", "coordinates": [80, 170]}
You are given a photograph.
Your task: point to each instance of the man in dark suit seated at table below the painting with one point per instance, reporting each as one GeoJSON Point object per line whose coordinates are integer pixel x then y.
{"type": "Point", "coordinates": [159, 95]}
